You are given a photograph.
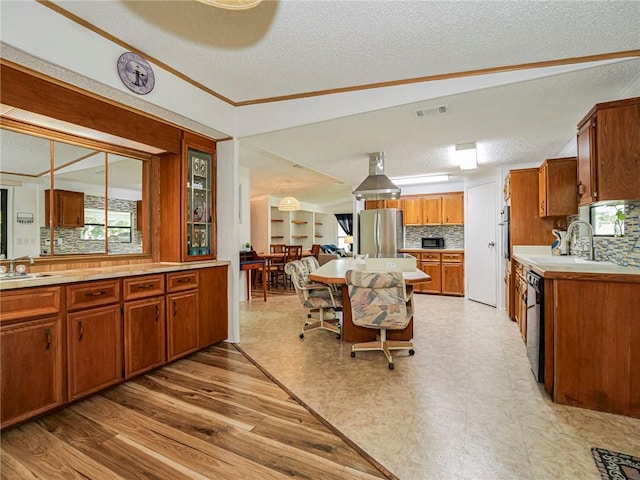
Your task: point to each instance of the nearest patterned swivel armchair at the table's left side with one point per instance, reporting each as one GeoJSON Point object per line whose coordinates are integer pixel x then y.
{"type": "Point", "coordinates": [317, 297]}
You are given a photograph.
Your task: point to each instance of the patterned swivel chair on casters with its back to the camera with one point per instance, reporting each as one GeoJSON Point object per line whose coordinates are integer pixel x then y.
{"type": "Point", "coordinates": [380, 300]}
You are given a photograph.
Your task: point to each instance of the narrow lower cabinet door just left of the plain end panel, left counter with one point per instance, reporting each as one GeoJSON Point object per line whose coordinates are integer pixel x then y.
{"type": "Point", "coordinates": [182, 323]}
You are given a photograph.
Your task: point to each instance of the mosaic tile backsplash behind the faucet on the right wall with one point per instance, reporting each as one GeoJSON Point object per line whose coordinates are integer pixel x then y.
{"type": "Point", "coordinates": [624, 250]}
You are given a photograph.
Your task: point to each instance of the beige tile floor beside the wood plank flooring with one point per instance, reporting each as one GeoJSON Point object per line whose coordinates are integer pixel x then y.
{"type": "Point", "coordinates": [466, 406]}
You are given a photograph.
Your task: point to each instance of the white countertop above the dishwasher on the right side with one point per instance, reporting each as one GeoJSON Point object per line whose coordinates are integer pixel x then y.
{"type": "Point", "coordinates": [540, 259]}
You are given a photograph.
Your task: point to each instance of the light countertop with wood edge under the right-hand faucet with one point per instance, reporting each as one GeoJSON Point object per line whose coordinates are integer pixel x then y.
{"type": "Point", "coordinates": [540, 260]}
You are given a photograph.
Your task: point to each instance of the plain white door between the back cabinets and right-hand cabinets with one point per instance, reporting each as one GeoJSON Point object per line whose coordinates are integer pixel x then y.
{"type": "Point", "coordinates": [480, 243]}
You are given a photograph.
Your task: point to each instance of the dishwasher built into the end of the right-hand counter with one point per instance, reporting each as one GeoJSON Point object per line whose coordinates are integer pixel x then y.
{"type": "Point", "coordinates": [535, 324]}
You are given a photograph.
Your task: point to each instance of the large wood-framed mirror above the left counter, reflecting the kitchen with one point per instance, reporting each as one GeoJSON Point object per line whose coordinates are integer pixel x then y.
{"type": "Point", "coordinates": [66, 195]}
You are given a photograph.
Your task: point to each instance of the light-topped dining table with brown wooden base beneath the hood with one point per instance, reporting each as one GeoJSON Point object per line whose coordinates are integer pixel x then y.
{"type": "Point", "coordinates": [333, 272]}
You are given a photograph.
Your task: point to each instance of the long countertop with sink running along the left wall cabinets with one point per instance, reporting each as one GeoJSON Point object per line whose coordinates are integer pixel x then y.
{"type": "Point", "coordinates": [102, 273]}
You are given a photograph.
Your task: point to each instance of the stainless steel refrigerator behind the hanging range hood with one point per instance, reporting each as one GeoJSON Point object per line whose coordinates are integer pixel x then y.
{"type": "Point", "coordinates": [380, 232]}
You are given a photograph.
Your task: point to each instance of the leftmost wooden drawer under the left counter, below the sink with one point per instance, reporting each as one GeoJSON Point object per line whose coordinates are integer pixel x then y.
{"type": "Point", "coordinates": [29, 302]}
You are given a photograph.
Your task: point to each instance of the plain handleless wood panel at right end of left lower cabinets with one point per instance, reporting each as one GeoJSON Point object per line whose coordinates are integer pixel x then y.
{"type": "Point", "coordinates": [213, 318]}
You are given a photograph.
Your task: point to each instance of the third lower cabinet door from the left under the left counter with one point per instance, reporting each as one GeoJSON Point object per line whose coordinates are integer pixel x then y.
{"type": "Point", "coordinates": [145, 337]}
